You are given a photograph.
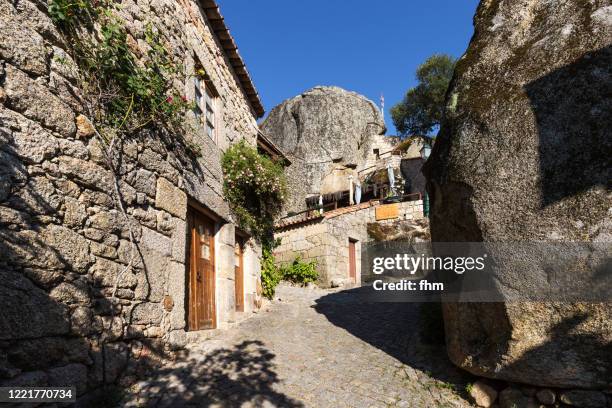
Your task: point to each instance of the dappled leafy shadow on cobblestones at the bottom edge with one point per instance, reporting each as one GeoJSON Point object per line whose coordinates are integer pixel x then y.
{"type": "Point", "coordinates": [240, 376]}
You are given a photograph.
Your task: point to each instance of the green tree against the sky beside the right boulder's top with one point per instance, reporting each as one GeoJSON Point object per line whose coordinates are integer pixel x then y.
{"type": "Point", "coordinates": [423, 106]}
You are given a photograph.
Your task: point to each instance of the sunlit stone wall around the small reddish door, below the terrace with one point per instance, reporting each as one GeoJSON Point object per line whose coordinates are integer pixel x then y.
{"type": "Point", "coordinates": [326, 240]}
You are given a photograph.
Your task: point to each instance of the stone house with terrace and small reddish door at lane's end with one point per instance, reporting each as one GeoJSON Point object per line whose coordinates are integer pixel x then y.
{"type": "Point", "coordinates": [333, 228]}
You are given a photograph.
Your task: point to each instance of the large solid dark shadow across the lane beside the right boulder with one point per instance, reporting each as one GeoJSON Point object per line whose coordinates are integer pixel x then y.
{"type": "Point", "coordinates": [413, 333]}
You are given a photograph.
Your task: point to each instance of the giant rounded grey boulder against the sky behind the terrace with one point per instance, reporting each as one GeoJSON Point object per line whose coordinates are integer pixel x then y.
{"type": "Point", "coordinates": [322, 129]}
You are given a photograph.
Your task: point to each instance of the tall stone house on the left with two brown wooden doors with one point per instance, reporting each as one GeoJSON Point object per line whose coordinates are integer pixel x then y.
{"type": "Point", "coordinates": [77, 297]}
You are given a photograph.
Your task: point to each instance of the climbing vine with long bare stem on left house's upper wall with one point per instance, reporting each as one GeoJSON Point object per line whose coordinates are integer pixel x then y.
{"type": "Point", "coordinates": [125, 89]}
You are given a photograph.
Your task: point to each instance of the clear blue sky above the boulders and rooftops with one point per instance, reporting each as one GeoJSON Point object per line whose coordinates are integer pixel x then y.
{"type": "Point", "coordinates": [370, 47]}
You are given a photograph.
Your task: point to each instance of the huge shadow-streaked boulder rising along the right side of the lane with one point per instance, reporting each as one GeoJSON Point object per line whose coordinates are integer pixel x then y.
{"type": "Point", "coordinates": [524, 155]}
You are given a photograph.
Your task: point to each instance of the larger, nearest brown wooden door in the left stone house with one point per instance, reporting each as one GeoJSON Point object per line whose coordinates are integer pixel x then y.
{"type": "Point", "coordinates": [201, 314]}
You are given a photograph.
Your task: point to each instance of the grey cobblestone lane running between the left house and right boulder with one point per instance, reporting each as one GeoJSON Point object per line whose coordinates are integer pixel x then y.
{"type": "Point", "coordinates": [317, 348]}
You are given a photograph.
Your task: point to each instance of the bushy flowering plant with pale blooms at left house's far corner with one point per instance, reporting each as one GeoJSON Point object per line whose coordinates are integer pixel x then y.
{"type": "Point", "coordinates": [255, 187]}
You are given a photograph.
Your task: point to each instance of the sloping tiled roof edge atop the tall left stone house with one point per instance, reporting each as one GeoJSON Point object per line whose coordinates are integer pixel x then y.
{"type": "Point", "coordinates": [217, 24]}
